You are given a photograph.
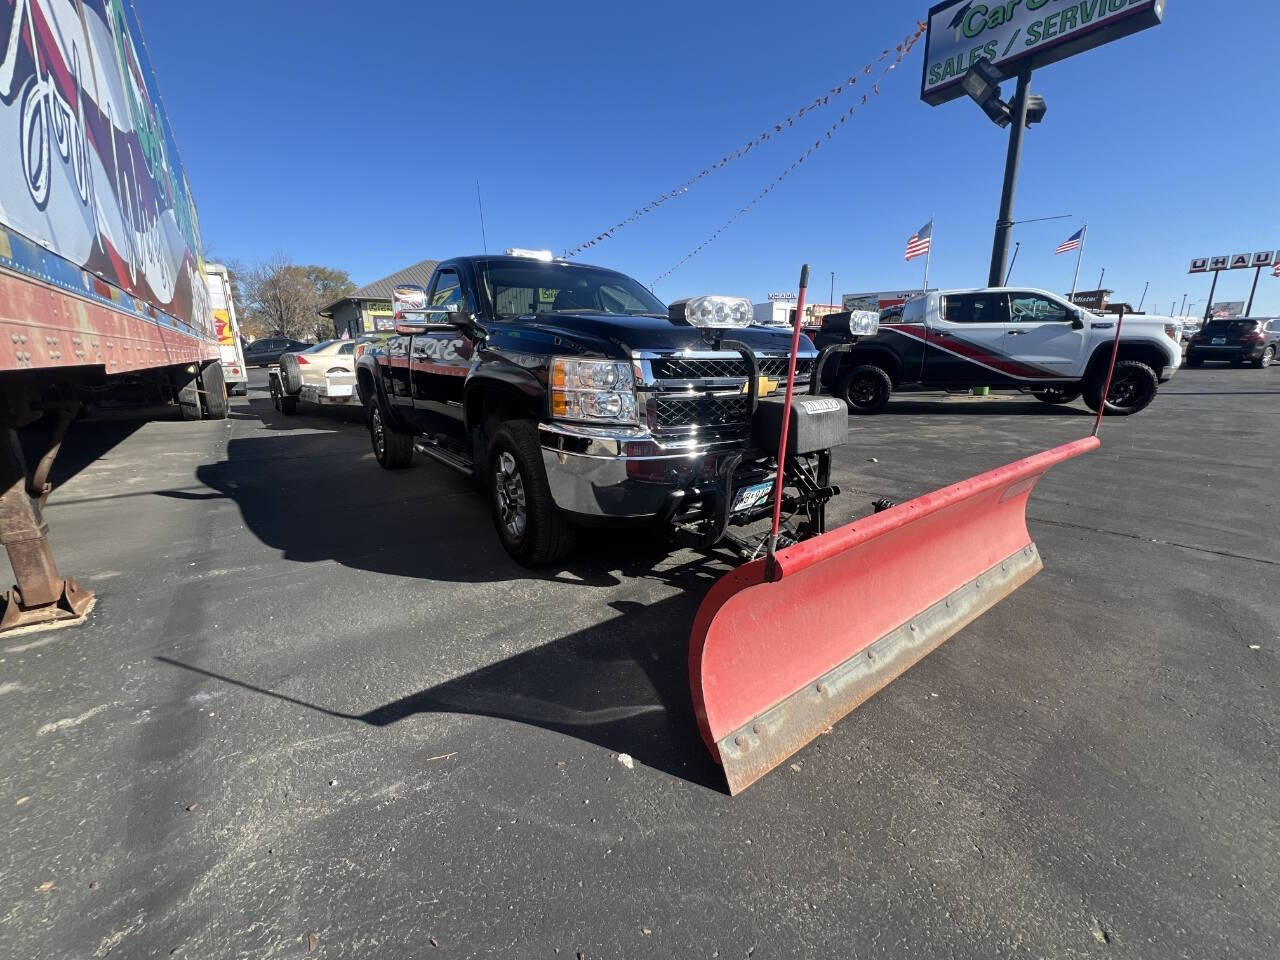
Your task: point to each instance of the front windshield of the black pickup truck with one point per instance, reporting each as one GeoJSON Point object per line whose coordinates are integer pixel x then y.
{"type": "Point", "coordinates": [520, 289]}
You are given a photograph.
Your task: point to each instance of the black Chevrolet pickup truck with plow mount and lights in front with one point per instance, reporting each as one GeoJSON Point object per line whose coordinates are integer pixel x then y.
{"type": "Point", "coordinates": [574, 397]}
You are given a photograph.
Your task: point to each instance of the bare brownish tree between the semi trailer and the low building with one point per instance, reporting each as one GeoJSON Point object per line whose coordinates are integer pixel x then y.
{"type": "Point", "coordinates": [282, 298]}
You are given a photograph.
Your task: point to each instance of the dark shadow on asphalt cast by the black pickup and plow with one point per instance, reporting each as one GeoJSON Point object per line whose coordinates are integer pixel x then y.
{"type": "Point", "coordinates": [623, 684]}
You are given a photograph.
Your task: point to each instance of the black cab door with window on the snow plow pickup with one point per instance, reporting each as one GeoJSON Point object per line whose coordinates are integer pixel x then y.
{"type": "Point", "coordinates": [440, 363]}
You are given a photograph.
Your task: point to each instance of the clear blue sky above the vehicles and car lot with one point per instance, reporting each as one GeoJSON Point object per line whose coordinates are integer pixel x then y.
{"type": "Point", "coordinates": [353, 135]}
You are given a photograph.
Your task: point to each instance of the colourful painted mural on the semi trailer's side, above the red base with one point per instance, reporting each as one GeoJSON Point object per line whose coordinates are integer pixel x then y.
{"type": "Point", "coordinates": [97, 179]}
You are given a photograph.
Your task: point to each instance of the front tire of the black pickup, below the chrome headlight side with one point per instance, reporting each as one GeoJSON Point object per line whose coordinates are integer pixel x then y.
{"type": "Point", "coordinates": [520, 500]}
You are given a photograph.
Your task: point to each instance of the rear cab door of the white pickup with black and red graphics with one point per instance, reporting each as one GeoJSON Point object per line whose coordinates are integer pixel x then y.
{"type": "Point", "coordinates": [968, 341]}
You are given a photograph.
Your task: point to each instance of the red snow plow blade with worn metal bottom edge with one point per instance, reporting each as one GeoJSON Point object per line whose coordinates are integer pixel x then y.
{"type": "Point", "coordinates": [774, 664]}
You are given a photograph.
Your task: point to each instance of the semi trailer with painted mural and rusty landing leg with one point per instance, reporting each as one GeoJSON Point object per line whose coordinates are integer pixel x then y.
{"type": "Point", "coordinates": [103, 289]}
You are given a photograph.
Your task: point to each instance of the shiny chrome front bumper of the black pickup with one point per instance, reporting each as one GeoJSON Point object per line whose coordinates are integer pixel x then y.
{"type": "Point", "coordinates": [624, 474]}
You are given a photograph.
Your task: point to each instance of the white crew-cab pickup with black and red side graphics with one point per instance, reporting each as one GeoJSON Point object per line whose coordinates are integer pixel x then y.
{"type": "Point", "coordinates": [1005, 339]}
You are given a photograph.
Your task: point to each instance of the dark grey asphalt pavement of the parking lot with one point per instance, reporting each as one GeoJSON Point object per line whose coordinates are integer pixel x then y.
{"type": "Point", "coordinates": [318, 711]}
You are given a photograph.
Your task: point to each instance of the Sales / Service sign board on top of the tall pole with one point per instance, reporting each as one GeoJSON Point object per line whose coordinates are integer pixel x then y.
{"type": "Point", "coordinates": [1022, 35]}
